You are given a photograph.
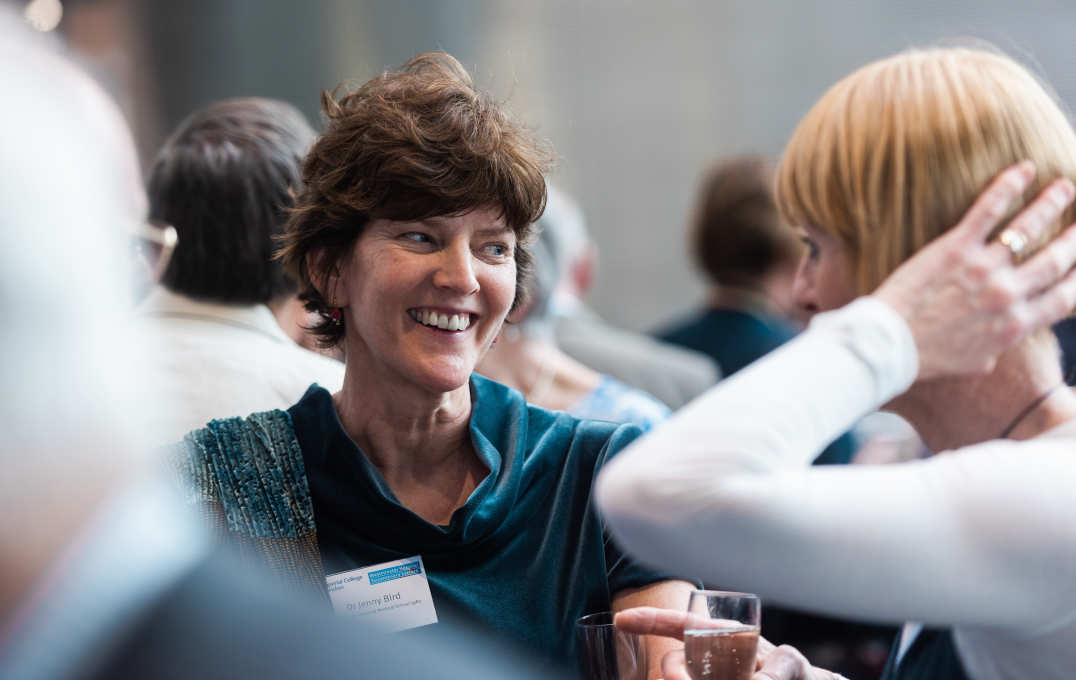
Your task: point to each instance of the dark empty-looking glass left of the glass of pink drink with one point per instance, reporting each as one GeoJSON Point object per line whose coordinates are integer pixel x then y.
{"type": "Point", "coordinates": [606, 654]}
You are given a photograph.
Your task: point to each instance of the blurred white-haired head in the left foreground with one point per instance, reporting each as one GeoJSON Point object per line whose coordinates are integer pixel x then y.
{"type": "Point", "coordinates": [70, 199]}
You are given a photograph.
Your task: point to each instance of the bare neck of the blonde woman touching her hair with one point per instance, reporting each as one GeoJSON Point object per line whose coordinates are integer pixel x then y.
{"type": "Point", "coordinates": [1022, 396]}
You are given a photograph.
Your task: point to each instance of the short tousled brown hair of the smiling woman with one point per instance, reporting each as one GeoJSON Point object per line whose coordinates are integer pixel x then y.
{"type": "Point", "coordinates": [410, 145]}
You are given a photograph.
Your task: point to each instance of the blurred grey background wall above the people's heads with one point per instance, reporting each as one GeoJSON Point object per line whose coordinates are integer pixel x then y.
{"type": "Point", "coordinates": [638, 97]}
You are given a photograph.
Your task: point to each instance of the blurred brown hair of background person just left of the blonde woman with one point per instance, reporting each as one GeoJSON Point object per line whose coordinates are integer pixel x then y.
{"type": "Point", "coordinates": [738, 237]}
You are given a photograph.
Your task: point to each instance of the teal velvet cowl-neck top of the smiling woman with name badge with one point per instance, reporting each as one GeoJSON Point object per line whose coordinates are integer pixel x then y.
{"type": "Point", "coordinates": [527, 556]}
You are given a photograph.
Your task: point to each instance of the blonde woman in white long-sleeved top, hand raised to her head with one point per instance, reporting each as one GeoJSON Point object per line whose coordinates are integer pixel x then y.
{"type": "Point", "coordinates": [976, 545]}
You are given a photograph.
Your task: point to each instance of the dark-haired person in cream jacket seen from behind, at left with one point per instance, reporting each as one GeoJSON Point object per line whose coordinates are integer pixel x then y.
{"type": "Point", "coordinates": [225, 180]}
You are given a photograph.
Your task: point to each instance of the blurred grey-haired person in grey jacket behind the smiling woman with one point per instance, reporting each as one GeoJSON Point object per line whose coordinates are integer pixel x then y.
{"type": "Point", "coordinates": [674, 376]}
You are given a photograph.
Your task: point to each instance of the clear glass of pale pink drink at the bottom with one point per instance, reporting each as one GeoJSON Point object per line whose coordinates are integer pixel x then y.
{"type": "Point", "coordinates": [721, 635]}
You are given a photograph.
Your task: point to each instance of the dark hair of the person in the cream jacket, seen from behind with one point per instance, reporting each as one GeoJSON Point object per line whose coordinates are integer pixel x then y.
{"type": "Point", "coordinates": [225, 181]}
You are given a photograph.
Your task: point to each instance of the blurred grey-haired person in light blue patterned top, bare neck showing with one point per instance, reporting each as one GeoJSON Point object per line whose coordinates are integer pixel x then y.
{"type": "Point", "coordinates": [527, 357]}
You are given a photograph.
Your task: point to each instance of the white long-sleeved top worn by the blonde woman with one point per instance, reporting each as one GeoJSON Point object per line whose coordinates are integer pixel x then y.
{"type": "Point", "coordinates": [982, 539]}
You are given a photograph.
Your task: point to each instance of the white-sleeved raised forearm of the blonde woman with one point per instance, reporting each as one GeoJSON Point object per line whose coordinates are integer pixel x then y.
{"type": "Point", "coordinates": [781, 412]}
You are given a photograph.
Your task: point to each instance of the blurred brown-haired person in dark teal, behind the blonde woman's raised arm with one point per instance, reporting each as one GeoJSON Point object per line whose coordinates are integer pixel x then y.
{"type": "Point", "coordinates": [749, 259]}
